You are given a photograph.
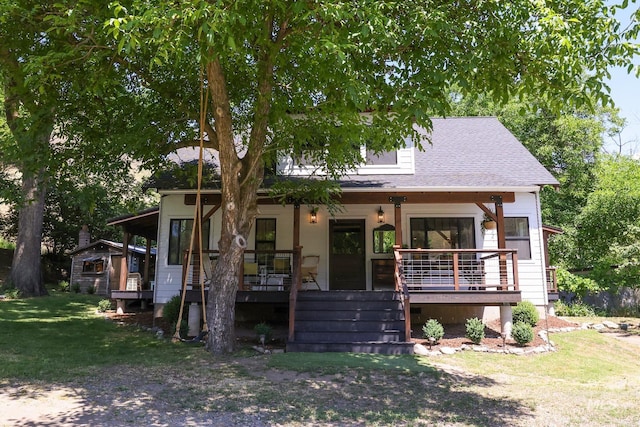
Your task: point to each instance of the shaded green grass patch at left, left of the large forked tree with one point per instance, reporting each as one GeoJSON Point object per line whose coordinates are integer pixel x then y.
{"type": "Point", "coordinates": [60, 337]}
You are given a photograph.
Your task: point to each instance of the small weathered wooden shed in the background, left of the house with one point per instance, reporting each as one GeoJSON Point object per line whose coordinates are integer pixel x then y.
{"type": "Point", "coordinates": [97, 265]}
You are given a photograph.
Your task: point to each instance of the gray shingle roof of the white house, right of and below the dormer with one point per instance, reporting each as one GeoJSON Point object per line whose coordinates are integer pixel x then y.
{"type": "Point", "coordinates": [466, 152]}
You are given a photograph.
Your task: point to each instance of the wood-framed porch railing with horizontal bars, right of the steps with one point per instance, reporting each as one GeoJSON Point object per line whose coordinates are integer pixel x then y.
{"type": "Point", "coordinates": [426, 270]}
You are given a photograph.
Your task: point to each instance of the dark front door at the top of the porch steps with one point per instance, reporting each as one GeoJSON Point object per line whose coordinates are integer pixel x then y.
{"type": "Point", "coordinates": [347, 254]}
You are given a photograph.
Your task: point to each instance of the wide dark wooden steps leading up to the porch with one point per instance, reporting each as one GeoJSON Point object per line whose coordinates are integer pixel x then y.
{"type": "Point", "coordinates": [349, 321]}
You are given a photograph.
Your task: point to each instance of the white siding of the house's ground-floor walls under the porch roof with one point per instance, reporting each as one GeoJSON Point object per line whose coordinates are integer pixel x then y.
{"type": "Point", "coordinates": [314, 238]}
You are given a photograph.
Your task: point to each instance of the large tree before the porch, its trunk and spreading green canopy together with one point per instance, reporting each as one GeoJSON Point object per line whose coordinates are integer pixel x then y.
{"type": "Point", "coordinates": [289, 76]}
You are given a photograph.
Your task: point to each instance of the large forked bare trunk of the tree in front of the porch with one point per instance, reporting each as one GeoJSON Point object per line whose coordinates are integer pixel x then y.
{"type": "Point", "coordinates": [241, 179]}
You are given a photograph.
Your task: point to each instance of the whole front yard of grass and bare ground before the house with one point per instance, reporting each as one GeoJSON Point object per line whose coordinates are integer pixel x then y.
{"type": "Point", "coordinates": [63, 364]}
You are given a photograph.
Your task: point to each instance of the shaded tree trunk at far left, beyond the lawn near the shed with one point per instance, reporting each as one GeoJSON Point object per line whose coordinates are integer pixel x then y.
{"type": "Point", "coordinates": [26, 274]}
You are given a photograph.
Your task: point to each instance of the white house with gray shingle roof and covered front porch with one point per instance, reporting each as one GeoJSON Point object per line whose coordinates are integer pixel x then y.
{"type": "Point", "coordinates": [451, 231]}
